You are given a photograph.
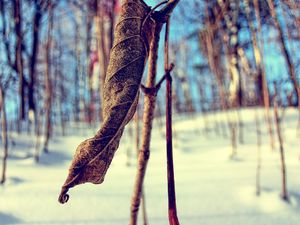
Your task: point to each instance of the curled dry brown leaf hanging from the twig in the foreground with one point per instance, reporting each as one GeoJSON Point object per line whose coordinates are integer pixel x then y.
{"type": "Point", "coordinates": [121, 90]}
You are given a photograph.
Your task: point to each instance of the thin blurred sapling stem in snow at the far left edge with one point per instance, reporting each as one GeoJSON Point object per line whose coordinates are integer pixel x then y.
{"type": "Point", "coordinates": [4, 135]}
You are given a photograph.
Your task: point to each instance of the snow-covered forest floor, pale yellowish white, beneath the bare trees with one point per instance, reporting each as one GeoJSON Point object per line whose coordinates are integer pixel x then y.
{"type": "Point", "coordinates": [212, 189]}
